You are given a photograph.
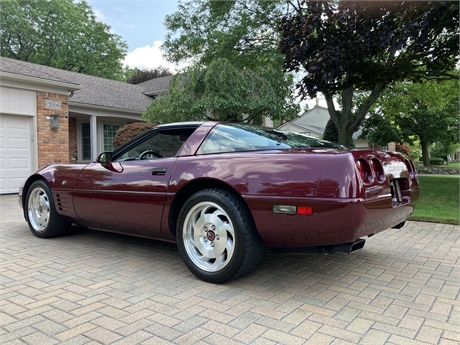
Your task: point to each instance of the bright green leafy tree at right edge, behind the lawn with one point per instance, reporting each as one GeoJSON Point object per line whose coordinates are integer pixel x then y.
{"type": "Point", "coordinates": [426, 111]}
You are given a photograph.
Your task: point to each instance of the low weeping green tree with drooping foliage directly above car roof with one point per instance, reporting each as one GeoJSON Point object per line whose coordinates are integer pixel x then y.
{"type": "Point", "coordinates": [221, 91]}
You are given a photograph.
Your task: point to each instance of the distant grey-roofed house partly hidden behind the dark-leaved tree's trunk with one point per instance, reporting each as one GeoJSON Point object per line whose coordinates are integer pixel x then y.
{"type": "Point", "coordinates": [313, 122]}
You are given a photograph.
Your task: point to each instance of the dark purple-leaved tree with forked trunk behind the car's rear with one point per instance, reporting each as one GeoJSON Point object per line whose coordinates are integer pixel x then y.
{"type": "Point", "coordinates": [344, 47]}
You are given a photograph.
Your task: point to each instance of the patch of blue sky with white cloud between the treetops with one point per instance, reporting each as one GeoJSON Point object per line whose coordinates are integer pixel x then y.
{"type": "Point", "coordinates": [140, 23]}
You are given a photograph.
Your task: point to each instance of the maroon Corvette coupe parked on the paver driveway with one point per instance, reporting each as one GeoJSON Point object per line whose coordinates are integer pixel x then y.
{"type": "Point", "coordinates": [224, 192]}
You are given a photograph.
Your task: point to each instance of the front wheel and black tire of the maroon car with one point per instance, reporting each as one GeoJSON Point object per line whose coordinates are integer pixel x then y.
{"type": "Point", "coordinates": [40, 212]}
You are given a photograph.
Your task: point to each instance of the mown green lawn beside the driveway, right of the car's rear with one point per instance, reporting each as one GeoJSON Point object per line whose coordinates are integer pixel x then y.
{"type": "Point", "coordinates": [439, 200]}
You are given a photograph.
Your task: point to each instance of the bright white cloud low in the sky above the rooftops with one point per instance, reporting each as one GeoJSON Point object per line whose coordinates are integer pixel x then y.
{"type": "Point", "coordinates": [148, 57]}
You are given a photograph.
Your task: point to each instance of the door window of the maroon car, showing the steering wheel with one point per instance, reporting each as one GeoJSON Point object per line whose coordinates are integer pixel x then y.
{"type": "Point", "coordinates": [162, 144]}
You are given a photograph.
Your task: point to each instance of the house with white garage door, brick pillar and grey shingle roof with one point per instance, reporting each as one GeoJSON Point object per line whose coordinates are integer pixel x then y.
{"type": "Point", "coordinates": [48, 115]}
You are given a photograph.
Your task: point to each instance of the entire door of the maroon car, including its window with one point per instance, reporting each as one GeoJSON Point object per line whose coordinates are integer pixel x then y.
{"type": "Point", "coordinates": [128, 194]}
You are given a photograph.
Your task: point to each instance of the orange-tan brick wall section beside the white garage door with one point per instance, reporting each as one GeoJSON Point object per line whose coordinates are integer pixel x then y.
{"type": "Point", "coordinates": [53, 145]}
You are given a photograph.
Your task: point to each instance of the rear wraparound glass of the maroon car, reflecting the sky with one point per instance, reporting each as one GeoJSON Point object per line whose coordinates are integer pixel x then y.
{"type": "Point", "coordinates": [243, 137]}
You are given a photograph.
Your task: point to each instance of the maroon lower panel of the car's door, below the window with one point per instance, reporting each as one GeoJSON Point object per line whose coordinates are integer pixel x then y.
{"type": "Point", "coordinates": [124, 196]}
